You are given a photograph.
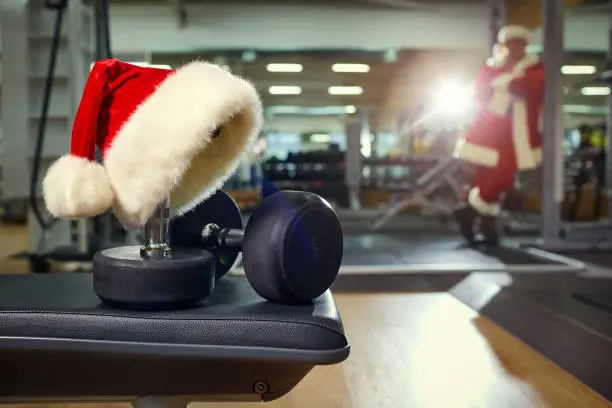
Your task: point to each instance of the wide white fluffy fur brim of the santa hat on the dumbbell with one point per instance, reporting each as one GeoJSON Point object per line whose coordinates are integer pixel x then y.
{"type": "Point", "coordinates": [166, 147]}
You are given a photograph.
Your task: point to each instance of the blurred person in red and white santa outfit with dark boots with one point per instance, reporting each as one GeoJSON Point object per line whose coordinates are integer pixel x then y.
{"type": "Point", "coordinates": [505, 135]}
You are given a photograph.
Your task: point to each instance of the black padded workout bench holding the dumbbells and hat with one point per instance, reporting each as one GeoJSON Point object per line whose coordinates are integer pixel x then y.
{"type": "Point", "coordinates": [55, 323]}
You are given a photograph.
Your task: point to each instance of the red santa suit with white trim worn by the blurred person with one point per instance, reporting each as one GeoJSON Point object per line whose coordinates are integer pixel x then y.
{"type": "Point", "coordinates": [505, 135]}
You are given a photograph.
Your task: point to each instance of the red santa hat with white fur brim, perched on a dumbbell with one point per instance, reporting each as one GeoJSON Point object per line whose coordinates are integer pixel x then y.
{"type": "Point", "coordinates": [161, 132]}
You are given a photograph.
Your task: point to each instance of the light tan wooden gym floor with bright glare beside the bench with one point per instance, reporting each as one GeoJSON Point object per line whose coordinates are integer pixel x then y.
{"type": "Point", "coordinates": [409, 350]}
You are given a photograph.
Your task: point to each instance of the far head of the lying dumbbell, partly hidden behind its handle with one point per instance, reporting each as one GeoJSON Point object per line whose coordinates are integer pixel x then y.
{"type": "Point", "coordinates": [220, 209]}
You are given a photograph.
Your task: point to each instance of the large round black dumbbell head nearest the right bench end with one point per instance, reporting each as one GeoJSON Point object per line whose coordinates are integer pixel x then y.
{"type": "Point", "coordinates": [293, 247]}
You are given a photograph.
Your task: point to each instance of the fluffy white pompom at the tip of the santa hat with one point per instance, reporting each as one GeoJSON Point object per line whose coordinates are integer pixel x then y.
{"type": "Point", "coordinates": [75, 187]}
